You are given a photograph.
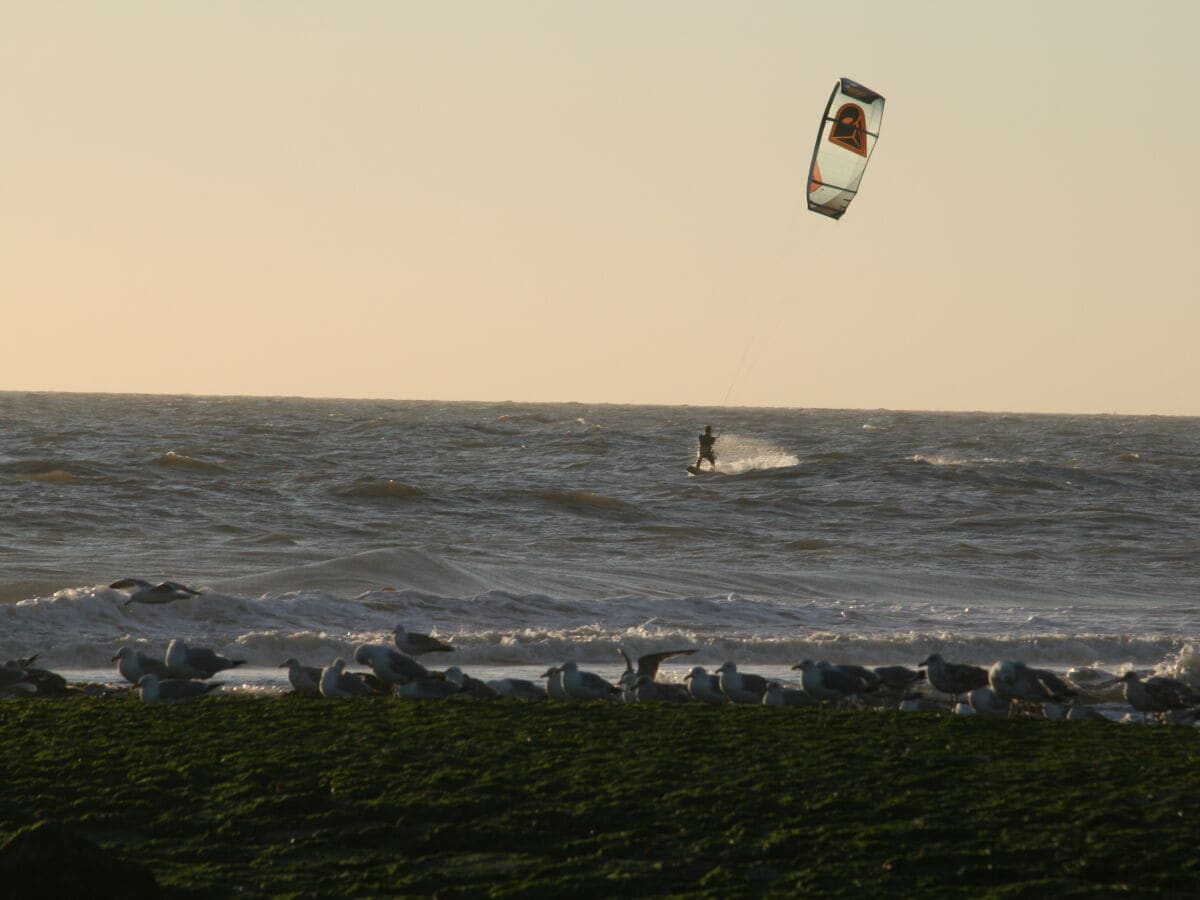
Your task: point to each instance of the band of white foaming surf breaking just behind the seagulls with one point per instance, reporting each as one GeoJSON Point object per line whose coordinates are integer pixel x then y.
{"type": "Point", "coordinates": [83, 627]}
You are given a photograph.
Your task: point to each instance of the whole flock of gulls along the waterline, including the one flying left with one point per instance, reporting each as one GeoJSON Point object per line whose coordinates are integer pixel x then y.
{"type": "Point", "coordinates": [1007, 688]}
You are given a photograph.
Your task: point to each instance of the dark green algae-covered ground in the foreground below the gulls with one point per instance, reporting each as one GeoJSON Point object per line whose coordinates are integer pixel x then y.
{"type": "Point", "coordinates": [248, 797]}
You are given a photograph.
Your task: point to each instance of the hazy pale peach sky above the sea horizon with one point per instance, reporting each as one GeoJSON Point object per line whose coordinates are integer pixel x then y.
{"type": "Point", "coordinates": [602, 202]}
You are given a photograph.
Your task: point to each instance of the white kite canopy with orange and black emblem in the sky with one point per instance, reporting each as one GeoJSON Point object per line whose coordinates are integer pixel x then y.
{"type": "Point", "coordinates": [845, 140]}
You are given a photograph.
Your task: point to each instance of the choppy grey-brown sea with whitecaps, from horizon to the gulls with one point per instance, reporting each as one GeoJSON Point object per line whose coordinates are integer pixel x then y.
{"type": "Point", "coordinates": [529, 535]}
